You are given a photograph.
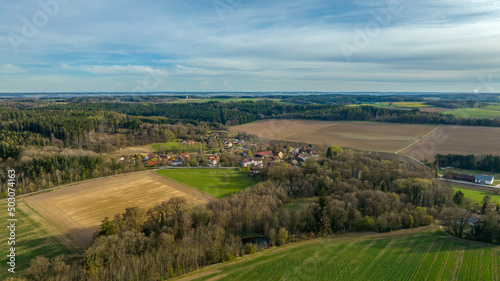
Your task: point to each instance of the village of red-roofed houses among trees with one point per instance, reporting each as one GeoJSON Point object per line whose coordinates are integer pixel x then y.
{"type": "Point", "coordinates": [243, 152]}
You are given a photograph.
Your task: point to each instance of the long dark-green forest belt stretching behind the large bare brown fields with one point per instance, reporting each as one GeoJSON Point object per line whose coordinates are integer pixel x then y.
{"type": "Point", "coordinates": [244, 112]}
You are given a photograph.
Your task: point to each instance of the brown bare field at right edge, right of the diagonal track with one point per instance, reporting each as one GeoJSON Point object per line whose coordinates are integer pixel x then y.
{"type": "Point", "coordinates": [456, 140]}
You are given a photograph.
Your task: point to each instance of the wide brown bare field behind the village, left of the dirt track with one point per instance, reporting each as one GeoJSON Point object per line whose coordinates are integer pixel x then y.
{"type": "Point", "coordinates": [369, 136]}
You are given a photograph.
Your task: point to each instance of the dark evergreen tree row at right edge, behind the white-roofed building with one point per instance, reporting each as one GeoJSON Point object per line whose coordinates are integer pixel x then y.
{"type": "Point", "coordinates": [487, 163]}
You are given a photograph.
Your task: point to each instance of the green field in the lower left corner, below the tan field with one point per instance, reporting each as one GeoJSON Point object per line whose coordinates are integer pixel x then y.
{"type": "Point", "coordinates": [33, 238]}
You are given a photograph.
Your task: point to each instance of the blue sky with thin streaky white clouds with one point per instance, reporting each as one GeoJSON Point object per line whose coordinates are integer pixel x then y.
{"type": "Point", "coordinates": [250, 46]}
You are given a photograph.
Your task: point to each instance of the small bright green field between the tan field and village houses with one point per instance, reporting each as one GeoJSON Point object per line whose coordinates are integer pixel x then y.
{"type": "Point", "coordinates": [216, 182]}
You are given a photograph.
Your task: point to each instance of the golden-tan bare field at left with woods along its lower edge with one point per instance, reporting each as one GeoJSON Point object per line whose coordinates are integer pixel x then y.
{"type": "Point", "coordinates": [78, 210]}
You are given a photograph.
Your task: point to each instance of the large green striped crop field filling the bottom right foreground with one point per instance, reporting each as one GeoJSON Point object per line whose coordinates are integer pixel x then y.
{"type": "Point", "coordinates": [427, 254]}
